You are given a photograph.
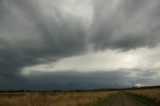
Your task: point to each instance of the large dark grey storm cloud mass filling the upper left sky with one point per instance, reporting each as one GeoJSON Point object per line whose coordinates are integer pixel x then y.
{"type": "Point", "coordinates": [28, 37]}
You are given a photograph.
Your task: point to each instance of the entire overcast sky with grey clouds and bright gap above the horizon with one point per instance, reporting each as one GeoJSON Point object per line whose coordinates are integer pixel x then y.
{"type": "Point", "coordinates": [79, 44]}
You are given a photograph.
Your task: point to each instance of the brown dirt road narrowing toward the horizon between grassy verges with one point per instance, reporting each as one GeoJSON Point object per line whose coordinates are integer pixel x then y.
{"type": "Point", "coordinates": [122, 99]}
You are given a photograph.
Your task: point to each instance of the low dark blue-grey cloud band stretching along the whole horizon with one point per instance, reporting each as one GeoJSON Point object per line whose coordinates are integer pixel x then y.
{"type": "Point", "coordinates": [71, 80]}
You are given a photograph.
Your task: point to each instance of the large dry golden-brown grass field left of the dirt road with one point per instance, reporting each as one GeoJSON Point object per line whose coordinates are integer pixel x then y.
{"type": "Point", "coordinates": [54, 99]}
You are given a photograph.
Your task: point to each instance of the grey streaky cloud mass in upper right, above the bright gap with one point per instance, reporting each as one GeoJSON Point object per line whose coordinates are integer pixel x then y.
{"type": "Point", "coordinates": [125, 24]}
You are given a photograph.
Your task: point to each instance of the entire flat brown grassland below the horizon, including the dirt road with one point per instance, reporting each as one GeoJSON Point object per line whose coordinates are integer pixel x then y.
{"type": "Point", "coordinates": [121, 97]}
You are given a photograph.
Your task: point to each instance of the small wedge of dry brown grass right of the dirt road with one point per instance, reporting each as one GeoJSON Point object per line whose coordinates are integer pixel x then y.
{"type": "Point", "coordinates": [152, 93]}
